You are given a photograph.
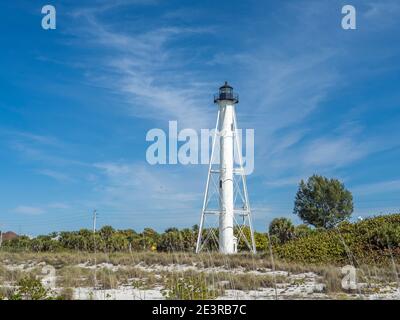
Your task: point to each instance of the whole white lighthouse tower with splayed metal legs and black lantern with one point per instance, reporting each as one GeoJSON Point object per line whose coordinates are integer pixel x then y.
{"type": "Point", "coordinates": [226, 182]}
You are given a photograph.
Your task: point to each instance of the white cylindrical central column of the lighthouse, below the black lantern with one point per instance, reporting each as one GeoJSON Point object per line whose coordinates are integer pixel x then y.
{"type": "Point", "coordinates": [226, 237]}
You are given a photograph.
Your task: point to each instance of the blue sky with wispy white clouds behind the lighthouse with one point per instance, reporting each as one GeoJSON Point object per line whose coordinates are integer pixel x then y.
{"type": "Point", "coordinates": [76, 104]}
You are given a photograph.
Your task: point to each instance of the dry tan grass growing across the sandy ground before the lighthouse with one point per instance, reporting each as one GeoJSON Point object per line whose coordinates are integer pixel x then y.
{"type": "Point", "coordinates": [229, 271]}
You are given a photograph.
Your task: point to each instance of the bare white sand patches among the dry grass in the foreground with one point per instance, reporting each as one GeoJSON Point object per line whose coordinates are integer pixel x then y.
{"type": "Point", "coordinates": [306, 285]}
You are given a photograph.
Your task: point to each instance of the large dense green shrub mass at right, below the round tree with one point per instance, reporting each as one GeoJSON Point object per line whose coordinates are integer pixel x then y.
{"type": "Point", "coordinates": [371, 241]}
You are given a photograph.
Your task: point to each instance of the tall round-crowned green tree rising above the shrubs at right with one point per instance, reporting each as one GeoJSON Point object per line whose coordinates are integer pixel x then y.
{"type": "Point", "coordinates": [323, 202]}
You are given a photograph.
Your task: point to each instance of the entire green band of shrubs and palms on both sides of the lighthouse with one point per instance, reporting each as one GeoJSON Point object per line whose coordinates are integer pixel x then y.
{"type": "Point", "coordinates": [373, 240]}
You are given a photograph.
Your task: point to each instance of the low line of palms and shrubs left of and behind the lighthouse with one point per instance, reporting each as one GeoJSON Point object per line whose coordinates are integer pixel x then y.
{"type": "Point", "coordinates": [107, 240]}
